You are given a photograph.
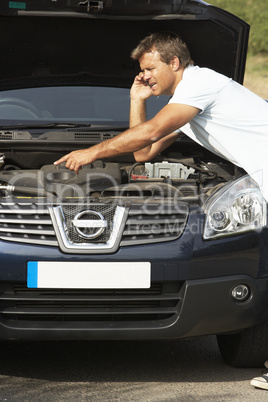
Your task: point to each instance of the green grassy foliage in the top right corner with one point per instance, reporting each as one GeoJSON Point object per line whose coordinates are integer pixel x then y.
{"type": "Point", "coordinates": [255, 13]}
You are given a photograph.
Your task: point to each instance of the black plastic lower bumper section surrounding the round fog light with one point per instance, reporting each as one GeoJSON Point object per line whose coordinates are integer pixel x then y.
{"type": "Point", "coordinates": [201, 307]}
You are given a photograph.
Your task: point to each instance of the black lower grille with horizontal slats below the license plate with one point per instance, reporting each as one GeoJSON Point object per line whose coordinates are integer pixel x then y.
{"type": "Point", "coordinates": [159, 303]}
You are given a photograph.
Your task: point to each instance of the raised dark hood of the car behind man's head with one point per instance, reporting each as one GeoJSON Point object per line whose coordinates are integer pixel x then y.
{"type": "Point", "coordinates": [69, 42]}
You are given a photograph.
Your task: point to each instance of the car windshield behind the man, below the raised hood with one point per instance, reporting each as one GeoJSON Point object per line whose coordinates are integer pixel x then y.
{"type": "Point", "coordinates": [91, 105]}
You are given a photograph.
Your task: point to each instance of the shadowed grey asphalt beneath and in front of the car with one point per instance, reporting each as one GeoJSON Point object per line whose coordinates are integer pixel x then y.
{"type": "Point", "coordinates": [185, 370]}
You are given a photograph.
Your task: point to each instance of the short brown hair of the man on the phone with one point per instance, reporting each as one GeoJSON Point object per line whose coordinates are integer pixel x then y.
{"type": "Point", "coordinates": [168, 45]}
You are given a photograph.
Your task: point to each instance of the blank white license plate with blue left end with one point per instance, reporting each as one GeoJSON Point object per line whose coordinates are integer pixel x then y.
{"type": "Point", "coordinates": [87, 275]}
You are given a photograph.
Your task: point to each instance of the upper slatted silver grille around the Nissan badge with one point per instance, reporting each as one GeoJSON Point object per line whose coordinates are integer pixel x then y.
{"type": "Point", "coordinates": [147, 223]}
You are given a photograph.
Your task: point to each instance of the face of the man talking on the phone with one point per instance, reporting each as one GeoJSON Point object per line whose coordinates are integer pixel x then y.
{"type": "Point", "coordinates": [159, 76]}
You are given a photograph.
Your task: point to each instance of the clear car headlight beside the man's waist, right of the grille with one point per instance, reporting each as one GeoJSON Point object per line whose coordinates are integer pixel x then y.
{"type": "Point", "coordinates": [235, 208]}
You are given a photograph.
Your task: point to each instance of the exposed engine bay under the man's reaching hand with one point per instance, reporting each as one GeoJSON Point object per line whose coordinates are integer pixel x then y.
{"type": "Point", "coordinates": [190, 176]}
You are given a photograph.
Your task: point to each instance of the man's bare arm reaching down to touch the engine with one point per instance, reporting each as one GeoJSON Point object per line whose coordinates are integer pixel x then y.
{"type": "Point", "coordinates": [170, 118]}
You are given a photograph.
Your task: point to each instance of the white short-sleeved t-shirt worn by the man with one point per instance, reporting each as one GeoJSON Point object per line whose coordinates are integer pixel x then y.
{"type": "Point", "coordinates": [232, 122]}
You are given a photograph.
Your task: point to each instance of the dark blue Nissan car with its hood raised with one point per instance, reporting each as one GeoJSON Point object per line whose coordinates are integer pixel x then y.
{"type": "Point", "coordinates": [169, 249]}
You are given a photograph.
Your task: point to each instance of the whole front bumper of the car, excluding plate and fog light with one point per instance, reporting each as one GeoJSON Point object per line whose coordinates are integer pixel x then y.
{"type": "Point", "coordinates": [190, 293]}
